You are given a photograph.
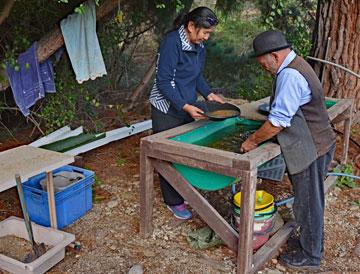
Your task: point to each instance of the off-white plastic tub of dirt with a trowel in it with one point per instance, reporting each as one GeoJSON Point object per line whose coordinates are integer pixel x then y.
{"type": "Point", "coordinates": [57, 239]}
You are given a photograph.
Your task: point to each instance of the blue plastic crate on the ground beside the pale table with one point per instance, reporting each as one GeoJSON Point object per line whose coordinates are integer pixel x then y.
{"type": "Point", "coordinates": [71, 203]}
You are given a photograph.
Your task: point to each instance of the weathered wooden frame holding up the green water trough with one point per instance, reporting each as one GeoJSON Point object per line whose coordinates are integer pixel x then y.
{"type": "Point", "coordinates": [158, 153]}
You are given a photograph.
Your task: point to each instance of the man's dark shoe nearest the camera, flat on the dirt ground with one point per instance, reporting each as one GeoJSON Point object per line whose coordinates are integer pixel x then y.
{"type": "Point", "coordinates": [299, 261]}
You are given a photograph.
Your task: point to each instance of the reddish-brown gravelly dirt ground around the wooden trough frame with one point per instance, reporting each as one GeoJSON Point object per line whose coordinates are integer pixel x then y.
{"type": "Point", "coordinates": [109, 232]}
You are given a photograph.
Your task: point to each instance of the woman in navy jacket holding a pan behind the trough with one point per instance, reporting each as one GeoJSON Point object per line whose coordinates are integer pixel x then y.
{"type": "Point", "coordinates": [179, 76]}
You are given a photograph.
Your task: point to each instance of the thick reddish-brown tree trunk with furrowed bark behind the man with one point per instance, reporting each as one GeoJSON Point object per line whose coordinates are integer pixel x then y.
{"type": "Point", "coordinates": [338, 20]}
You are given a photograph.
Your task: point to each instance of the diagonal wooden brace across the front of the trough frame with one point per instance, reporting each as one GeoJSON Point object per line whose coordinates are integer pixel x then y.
{"type": "Point", "coordinates": [198, 203]}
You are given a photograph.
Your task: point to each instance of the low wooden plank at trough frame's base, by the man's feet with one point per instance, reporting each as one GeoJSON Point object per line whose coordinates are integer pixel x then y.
{"type": "Point", "coordinates": [270, 248]}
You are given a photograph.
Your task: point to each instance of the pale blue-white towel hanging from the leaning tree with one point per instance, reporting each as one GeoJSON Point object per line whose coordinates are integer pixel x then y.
{"type": "Point", "coordinates": [79, 31]}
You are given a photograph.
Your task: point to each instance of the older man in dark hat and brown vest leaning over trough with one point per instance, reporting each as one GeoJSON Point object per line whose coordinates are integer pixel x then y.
{"type": "Point", "coordinates": [300, 122]}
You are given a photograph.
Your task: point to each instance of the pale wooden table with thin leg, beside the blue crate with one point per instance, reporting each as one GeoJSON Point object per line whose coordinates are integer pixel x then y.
{"type": "Point", "coordinates": [29, 161]}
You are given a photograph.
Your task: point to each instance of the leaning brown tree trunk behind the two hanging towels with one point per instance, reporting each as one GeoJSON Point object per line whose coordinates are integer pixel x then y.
{"type": "Point", "coordinates": [52, 41]}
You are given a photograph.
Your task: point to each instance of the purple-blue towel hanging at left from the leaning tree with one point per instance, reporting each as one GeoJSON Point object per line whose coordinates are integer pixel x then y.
{"type": "Point", "coordinates": [30, 82]}
